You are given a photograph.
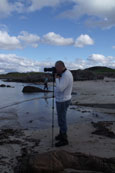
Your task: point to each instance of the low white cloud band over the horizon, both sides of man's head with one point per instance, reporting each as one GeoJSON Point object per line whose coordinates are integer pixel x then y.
{"type": "Point", "coordinates": [14, 63]}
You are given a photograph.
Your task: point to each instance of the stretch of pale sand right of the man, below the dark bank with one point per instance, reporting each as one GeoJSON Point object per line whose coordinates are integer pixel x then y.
{"type": "Point", "coordinates": [100, 95]}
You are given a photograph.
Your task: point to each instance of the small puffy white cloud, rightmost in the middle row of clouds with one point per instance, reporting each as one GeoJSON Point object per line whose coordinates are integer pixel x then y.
{"type": "Point", "coordinates": [83, 40]}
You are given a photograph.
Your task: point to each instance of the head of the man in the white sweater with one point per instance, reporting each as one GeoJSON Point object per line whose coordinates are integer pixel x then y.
{"type": "Point", "coordinates": [60, 66]}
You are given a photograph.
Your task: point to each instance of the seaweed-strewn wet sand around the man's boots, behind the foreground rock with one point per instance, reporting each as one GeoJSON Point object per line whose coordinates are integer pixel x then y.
{"type": "Point", "coordinates": [16, 144]}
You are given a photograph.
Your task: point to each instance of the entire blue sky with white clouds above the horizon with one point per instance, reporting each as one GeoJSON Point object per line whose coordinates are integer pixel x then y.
{"type": "Point", "coordinates": [36, 33]}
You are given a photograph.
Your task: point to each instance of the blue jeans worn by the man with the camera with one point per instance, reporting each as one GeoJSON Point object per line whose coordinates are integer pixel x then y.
{"type": "Point", "coordinates": [61, 115]}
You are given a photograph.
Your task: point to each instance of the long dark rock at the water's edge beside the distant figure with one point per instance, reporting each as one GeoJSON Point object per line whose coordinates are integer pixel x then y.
{"type": "Point", "coordinates": [31, 89]}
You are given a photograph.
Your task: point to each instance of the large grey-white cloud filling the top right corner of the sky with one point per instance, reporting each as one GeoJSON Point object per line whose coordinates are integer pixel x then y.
{"type": "Point", "coordinates": [103, 12]}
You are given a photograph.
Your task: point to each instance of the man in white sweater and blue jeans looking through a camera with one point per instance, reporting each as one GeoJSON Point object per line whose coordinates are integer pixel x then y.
{"type": "Point", "coordinates": [64, 83]}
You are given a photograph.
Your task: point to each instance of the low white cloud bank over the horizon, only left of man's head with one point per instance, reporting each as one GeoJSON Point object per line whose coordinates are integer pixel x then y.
{"type": "Point", "coordinates": [14, 63]}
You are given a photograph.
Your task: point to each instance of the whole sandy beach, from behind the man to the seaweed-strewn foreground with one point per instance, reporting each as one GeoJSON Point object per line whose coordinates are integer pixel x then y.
{"type": "Point", "coordinates": [86, 137]}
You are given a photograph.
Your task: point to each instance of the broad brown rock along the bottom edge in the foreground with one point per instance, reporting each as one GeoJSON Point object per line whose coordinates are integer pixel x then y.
{"type": "Point", "coordinates": [57, 161]}
